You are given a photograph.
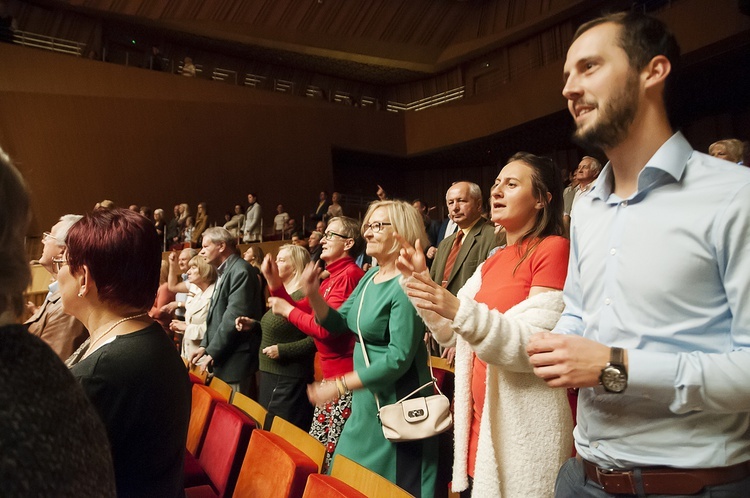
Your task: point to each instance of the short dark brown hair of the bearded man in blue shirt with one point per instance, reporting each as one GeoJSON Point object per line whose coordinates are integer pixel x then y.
{"type": "Point", "coordinates": [642, 38]}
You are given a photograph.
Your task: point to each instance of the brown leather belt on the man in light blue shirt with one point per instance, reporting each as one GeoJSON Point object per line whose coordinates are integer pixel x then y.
{"type": "Point", "coordinates": [664, 480]}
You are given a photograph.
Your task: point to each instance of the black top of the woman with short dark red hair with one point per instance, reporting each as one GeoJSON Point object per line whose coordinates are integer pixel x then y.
{"type": "Point", "coordinates": [140, 387]}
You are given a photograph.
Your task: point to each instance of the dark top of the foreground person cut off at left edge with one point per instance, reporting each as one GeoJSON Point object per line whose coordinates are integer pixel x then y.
{"type": "Point", "coordinates": [52, 443]}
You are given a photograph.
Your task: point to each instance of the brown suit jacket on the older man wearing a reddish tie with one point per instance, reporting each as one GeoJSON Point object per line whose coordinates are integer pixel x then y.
{"type": "Point", "coordinates": [474, 250]}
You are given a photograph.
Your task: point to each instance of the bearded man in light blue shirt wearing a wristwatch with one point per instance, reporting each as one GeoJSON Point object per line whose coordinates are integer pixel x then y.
{"type": "Point", "coordinates": [655, 327]}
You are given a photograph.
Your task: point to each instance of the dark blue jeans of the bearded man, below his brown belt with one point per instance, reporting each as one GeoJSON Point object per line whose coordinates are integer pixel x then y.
{"type": "Point", "coordinates": [572, 483]}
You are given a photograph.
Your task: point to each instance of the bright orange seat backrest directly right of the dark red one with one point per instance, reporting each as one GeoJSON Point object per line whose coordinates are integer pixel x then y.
{"type": "Point", "coordinates": [273, 468]}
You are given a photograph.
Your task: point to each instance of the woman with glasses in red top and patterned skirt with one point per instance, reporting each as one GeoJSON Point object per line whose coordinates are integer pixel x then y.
{"type": "Point", "coordinates": [342, 242]}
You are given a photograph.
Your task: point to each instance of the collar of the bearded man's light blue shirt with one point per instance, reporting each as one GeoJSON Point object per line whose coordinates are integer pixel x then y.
{"type": "Point", "coordinates": [667, 165]}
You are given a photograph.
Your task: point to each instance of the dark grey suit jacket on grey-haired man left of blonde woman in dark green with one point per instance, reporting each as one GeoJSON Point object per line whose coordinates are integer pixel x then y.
{"type": "Point", "coordinates": [237, 293]}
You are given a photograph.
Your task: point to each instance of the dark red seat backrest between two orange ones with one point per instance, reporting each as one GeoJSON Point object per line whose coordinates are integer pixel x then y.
{"type": "Point", "coordinates": [224, 448]}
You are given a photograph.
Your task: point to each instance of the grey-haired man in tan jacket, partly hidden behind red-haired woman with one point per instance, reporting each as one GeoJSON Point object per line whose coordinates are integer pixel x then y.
{"type": "Point", "coordinates": [63, 333]}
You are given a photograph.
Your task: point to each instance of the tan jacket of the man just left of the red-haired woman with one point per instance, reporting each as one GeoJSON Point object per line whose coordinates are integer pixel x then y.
{"type": "Point", "coordinates": [62, 332]}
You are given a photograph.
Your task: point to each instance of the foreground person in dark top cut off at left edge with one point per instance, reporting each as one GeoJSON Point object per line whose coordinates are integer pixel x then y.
{"type": "Point", "coordinates": [52, 442]}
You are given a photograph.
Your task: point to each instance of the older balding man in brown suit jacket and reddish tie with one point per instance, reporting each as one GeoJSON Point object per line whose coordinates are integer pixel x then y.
{"type": "Point", "coordinates": [476, 239]}
